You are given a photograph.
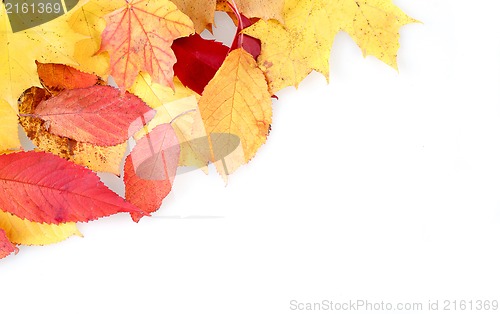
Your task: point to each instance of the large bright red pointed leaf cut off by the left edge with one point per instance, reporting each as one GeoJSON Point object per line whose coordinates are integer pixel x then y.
{"type": "Point", "coordinates": [44, 188]}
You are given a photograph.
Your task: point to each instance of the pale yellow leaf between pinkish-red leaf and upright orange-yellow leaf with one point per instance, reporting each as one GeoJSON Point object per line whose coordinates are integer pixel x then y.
{"type": "Point", "coordinates": [181, 107]}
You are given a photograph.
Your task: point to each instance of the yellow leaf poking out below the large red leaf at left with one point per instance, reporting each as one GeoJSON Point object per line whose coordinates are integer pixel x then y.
{"type": "Point", "coordinates": [23, 231]}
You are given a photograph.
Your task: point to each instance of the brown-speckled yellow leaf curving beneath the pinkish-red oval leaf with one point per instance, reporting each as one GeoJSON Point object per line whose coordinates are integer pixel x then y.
{"type": "Point", "coordinates": [106, 159]}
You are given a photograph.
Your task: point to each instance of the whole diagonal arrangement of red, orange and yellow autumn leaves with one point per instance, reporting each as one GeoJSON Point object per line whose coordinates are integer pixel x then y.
{"type": "Point", "coordinates": [176, 96]}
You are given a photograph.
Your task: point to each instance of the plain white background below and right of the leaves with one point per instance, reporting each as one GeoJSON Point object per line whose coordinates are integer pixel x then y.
{"type": "Point", "coordinates": [382, 186]}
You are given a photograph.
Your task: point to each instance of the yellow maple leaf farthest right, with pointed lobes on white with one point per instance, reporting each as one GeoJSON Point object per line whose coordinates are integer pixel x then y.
{"type": "Point", "coordinates": [290, 51]}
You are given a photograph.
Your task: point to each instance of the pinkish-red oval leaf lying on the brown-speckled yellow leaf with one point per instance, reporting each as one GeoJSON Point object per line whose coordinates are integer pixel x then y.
{"type": "Point", "coordinates": [98, 115]}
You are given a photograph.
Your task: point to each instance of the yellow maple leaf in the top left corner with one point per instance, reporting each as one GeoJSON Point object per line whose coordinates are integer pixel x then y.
{"type": "Point", "coordinates": [53, 41]}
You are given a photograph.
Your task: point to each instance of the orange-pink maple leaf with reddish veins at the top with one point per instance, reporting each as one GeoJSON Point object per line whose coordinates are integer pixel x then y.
{"type": "Point", "coordinates": [139, 36]}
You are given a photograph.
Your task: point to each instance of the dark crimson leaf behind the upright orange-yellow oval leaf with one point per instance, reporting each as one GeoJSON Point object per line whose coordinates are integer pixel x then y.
{"type": "Point", "coordinates": [198, 60]}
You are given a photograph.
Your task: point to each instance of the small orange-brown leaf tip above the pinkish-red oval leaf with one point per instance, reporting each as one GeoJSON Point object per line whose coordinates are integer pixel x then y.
{"type": "Point", "coordinates": [58, 77]}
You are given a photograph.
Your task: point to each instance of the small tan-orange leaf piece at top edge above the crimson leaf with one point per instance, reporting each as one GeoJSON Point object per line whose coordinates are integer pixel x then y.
{"type": "Point", "coordinates": [201, 12]}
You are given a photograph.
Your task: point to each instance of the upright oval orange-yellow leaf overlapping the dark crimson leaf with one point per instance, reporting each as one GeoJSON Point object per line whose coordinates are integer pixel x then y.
{"type": "Point", "coordinates": [237, 101]}
